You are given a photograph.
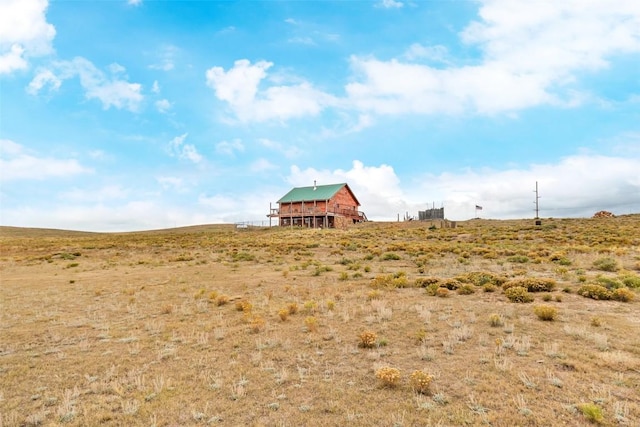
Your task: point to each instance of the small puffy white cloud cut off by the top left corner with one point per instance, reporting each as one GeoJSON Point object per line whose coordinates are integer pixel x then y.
{"type": "Point", "coordinates": [24, 33]}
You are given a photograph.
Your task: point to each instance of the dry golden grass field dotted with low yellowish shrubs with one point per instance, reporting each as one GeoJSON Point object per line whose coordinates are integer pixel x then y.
{"type": "Point", "coordinates": [382, 324]}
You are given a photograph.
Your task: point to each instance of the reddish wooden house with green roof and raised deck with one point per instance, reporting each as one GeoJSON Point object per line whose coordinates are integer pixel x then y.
{"type": "Point", "coordinates": [318, 206]}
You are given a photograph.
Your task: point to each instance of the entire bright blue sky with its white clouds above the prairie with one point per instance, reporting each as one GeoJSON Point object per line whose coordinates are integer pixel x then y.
{"type": "Point", "coordinates": [130, 115]}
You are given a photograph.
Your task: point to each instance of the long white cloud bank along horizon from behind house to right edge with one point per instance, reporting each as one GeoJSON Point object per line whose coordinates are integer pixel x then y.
{"type": "Point", "coordinates": [578, 185]}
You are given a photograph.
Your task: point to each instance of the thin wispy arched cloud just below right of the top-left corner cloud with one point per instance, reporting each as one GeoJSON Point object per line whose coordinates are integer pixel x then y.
{"type": "Point", "coordinates": [112, 92]}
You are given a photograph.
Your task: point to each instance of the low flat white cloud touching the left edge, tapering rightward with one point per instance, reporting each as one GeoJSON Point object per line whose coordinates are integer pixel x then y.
{"type": "Point", "coordinates": [18, 163]}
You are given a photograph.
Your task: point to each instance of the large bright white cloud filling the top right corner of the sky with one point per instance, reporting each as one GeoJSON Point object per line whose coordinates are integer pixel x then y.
{"type": "Point", "coordinates": [555, 38]}
